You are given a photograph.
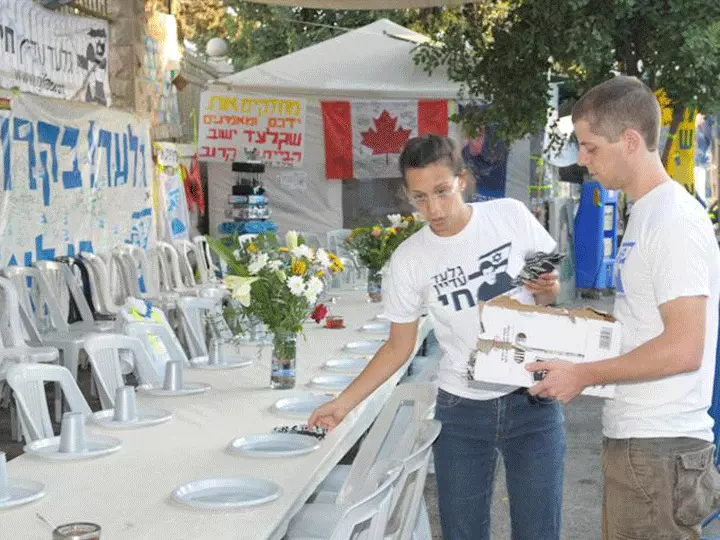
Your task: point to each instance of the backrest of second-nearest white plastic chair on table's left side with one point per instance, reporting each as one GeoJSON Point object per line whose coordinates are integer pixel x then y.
{"type": "Point", "coordinates": [107, 363]}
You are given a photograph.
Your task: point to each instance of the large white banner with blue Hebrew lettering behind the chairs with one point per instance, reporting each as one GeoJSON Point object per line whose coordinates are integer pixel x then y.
{"type": "Point", "coordinates": [73, 178]}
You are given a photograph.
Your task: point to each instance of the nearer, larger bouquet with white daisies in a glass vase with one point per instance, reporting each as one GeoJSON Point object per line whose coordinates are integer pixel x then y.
{"type": "Point", "coordinates": [278, 285]}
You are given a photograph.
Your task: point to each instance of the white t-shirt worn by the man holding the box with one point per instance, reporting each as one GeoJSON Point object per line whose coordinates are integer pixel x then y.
{"type": "Point", "coordinates": [668, 251]}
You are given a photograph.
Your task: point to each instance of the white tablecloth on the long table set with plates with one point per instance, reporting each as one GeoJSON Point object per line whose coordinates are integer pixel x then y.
{"type": "Point", "coordinates": [128, 493]}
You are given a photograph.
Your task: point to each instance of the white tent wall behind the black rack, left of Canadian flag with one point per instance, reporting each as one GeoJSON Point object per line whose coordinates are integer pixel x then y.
{"type": "Point", "coordinates": [299, 198]}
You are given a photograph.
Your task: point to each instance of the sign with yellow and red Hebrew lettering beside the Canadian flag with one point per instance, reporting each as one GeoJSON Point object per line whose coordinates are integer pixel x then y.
{"type": "Point", "coordinates": [234, 127]}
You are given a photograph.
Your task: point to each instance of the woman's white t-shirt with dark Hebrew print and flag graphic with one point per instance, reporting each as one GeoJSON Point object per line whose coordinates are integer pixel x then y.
{"type": "Point", "coordinates": [448, 275]}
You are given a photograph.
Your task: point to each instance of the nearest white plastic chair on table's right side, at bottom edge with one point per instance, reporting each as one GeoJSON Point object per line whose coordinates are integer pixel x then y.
{"type": "Point", "coordinates": [369, 514]}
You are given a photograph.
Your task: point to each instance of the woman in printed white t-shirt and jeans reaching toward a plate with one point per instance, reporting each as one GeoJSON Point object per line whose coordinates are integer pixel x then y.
{"type": "Point", "coordinates": [468, 253]}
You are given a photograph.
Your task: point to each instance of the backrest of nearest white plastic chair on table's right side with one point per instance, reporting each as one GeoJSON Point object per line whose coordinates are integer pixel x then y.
{"type": "Point", "coordinates": [370, 514]}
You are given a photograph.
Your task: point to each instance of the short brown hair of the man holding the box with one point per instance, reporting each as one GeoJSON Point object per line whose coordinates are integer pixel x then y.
{"type": "Point", "coordinates": [618, 104]}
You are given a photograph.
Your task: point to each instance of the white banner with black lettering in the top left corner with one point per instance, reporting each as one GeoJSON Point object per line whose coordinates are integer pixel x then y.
{"type": "Point", "coordinates": [53, 55]}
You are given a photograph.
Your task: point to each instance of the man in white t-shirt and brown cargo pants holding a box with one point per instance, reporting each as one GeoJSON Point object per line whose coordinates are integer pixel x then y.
{"type": "Point", "coordinates": [658, 447]}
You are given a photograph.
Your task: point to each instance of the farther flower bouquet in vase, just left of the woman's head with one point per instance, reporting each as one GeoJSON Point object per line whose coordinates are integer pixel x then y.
{"type": "Point", "coordinates": [373, 246]}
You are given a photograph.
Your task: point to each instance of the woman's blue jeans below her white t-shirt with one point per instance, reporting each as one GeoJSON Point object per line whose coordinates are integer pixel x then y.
{"type": "Point", "coordinates": [529, 434]}
